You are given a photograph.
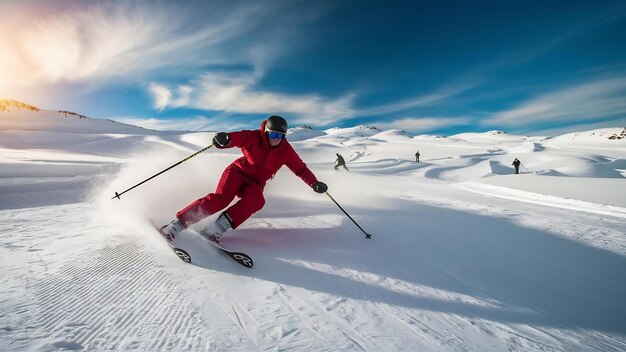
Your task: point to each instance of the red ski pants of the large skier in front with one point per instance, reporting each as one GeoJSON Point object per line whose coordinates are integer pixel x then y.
{"type": "Point", "coordinates": [231, 184]}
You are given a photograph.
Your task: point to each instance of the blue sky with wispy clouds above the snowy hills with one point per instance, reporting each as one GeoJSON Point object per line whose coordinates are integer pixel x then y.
{"type": "Point", "coordinates": [427, 67]}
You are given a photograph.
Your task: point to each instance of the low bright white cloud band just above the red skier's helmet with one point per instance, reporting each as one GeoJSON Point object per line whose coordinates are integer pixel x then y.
{"type": "Point", "coordinates": [236, 92]}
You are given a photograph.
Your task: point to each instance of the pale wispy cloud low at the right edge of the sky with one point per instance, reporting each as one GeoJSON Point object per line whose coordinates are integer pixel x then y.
{"type": "Point", "coordinates": [587, 101]}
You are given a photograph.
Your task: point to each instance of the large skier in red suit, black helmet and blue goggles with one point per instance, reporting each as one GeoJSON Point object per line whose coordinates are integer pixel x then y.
{"type": "Point", "coordinates": [265, 151]}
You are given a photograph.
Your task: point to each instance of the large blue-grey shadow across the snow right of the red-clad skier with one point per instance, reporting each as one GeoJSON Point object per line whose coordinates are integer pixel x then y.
{"type": "Point", "coordinates": [536, 277]}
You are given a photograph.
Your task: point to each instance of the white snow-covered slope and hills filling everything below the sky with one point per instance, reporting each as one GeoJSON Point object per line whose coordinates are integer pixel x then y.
{"type": "Point", "coordinates": [465, 255]}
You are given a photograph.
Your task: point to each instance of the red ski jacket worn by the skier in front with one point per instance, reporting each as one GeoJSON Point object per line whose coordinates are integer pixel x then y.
{"type": "Point", "coordinates": [261, 161]}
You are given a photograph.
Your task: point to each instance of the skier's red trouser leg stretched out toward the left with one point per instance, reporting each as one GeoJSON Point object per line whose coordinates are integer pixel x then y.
{"type": "Point", "coordinates": [226, 190]}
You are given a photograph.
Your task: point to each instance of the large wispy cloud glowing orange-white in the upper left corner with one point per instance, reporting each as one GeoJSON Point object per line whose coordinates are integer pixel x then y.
{"type": "Point", "coordinates": [125, 39]}
